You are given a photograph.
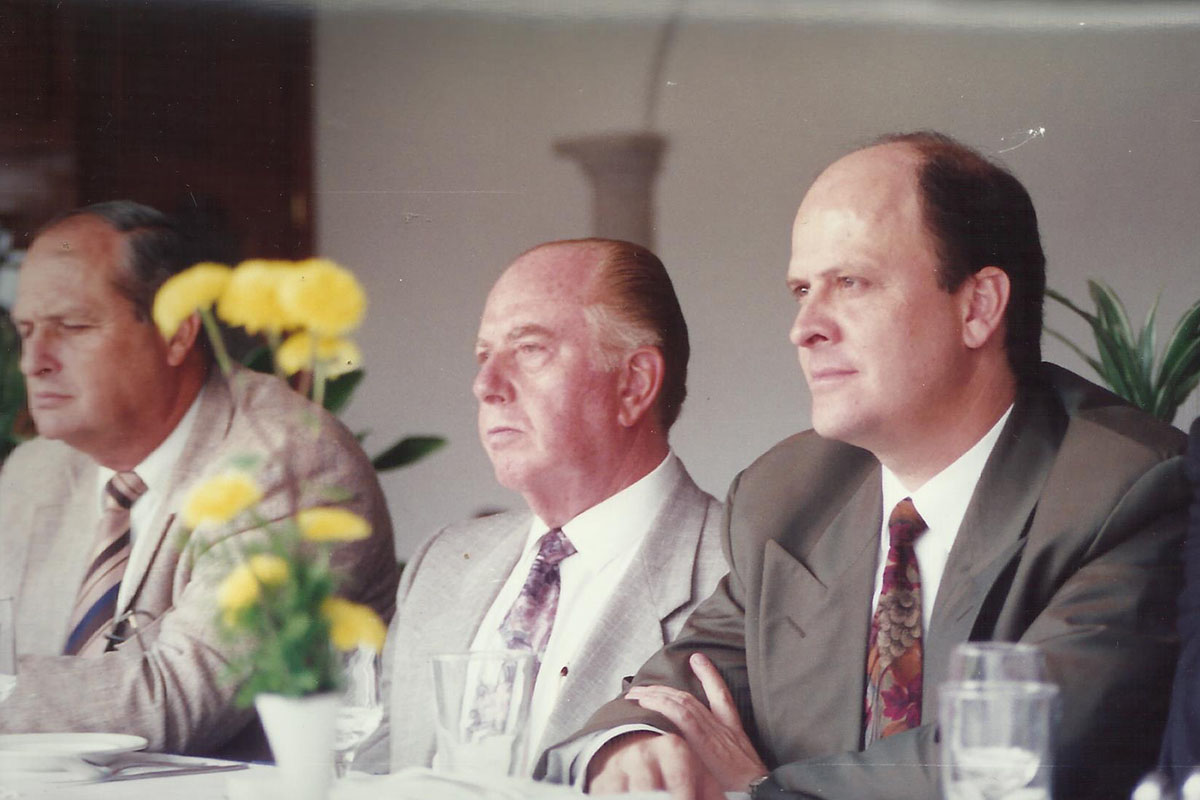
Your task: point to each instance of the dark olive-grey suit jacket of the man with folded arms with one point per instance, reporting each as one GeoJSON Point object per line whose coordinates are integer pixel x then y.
{"type": "Point", "coordinates": [1071, 543]}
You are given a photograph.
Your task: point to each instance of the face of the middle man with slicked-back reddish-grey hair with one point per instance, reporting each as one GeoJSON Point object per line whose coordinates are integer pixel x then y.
{"type": "Point", "coordinates": [547, 410]}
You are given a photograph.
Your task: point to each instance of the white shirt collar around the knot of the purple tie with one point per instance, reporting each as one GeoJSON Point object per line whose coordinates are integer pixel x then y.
{"type": "Point", "coordinates": [619, 524]}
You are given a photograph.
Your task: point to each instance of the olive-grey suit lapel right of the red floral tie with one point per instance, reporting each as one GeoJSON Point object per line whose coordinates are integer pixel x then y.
{"type": "Point", "coordinates": [992, 534]}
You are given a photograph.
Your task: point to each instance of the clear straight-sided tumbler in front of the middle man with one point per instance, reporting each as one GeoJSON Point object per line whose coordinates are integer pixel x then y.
{"type": "Point", "coordinates": [482, 707]}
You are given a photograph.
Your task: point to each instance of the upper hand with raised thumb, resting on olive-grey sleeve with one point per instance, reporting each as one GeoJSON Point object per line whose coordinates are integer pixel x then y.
{"type": "Point", "coordinates": [715, 736]}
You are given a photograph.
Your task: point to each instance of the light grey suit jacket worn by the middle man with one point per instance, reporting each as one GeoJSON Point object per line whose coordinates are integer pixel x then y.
{"type": "Point", "coordinates": [452, 582]}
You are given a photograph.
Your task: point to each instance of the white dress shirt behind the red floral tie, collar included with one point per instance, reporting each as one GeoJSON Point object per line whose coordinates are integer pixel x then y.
{"type": "Point", "coordinates": [941, 502]}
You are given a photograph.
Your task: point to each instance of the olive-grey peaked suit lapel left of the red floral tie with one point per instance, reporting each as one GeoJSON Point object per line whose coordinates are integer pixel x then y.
{"type": "Point", "coordinates": [814, 640]}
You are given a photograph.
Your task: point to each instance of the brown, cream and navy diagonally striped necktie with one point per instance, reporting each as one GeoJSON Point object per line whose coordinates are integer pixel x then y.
{"type": "Point", "coordinates": [97, 603]}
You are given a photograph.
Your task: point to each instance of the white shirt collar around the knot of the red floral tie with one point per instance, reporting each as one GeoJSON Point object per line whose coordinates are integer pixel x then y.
{"type": "Point", "coordinates": [943, 501]}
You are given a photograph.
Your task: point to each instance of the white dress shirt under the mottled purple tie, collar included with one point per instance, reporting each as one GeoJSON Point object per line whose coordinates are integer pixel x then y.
{"type": "Point", "coordinates": [605, 538]}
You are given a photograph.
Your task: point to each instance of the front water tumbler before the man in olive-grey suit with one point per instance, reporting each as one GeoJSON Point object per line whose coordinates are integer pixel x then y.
{"type": "Point", "coordinates": [998, 739]}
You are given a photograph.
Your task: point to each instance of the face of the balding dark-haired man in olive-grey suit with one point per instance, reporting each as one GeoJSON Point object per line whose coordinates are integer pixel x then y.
{"type": "Point", "coordinates": [879, 341]}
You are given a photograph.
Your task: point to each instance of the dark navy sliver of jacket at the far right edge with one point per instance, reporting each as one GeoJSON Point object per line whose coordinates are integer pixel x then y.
{"type": "Point", "coordinates": [1181, 744]}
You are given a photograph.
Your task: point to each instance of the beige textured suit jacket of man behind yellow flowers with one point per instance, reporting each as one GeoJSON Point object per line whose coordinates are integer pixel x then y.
{"type": "Point", "coordinates": [169, 684]}
